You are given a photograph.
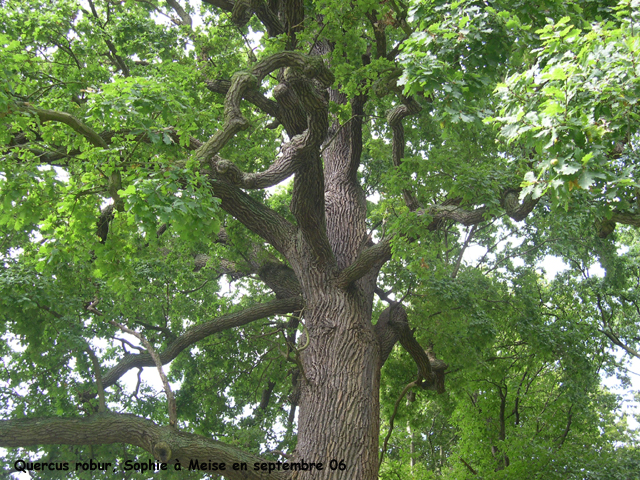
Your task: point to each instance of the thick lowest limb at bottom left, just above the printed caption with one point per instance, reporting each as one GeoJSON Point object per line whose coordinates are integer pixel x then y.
{"type": "Point", "coordinates": [164, 443]}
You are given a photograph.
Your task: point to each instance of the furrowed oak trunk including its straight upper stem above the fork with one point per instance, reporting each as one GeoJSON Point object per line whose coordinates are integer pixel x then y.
{"type": "Point", "coordinates": [339, 417]}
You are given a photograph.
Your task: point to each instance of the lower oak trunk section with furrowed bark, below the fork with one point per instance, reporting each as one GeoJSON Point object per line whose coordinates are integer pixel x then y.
{"type": "Point", "coordinates": [339, 406]}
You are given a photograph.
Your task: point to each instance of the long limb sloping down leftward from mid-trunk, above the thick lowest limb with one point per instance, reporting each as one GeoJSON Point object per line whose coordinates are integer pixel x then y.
{"type": "Point", "coordinates": [201, 331]}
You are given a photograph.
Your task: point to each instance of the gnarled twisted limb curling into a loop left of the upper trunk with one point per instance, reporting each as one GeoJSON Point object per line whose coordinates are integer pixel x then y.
{"type": "Point", "coordinates": [307, 77]}
